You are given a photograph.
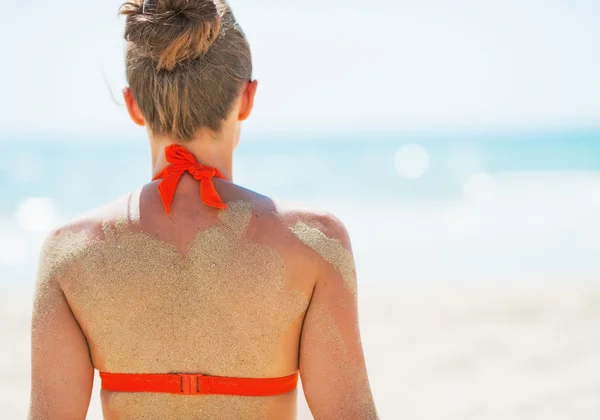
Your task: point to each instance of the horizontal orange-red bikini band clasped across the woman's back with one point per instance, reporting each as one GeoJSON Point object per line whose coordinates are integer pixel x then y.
{"type": "Point", "coordinates": [195, 384]}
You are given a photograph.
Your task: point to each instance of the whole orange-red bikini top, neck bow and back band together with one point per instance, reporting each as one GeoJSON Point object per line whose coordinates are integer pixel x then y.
{"type": "Point", "coordinates": [181, 161]}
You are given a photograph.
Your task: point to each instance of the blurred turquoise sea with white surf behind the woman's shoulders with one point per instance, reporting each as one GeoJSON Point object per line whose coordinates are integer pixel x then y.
{"type": "Point", "coordinates": [501, 206]}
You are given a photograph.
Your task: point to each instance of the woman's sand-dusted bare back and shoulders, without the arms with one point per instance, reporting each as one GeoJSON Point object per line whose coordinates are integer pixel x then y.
{"type": "Point", "coordinates": [218, 292]}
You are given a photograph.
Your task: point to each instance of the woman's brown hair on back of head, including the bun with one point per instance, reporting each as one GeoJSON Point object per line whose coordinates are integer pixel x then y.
{"type": "Point", "coordinates": [186, 63]}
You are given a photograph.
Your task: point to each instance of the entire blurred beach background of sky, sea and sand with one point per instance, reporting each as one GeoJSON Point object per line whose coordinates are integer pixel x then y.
{"type": "Point", "coordinates": [459, 141]}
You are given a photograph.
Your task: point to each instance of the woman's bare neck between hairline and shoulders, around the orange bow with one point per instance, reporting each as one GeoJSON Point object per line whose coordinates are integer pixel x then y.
{"type": "Point", "coordinates": [208, 150]}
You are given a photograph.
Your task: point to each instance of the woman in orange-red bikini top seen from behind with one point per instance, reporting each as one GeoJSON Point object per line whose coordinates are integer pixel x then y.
{"type": "Point", "coordinates": [196, 305]}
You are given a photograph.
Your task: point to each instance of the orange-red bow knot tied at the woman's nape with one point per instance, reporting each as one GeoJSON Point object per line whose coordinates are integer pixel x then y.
{"type": "Point", "coordinates": [181, 161]}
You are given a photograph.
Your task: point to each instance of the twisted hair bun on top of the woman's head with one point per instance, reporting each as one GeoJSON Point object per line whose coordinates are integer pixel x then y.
{"type": "Point", "coordinates": [171, 31]}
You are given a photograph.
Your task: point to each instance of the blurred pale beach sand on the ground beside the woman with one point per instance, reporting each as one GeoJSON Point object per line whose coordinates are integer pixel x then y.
{"type": "Point", "coordinates": [474, 352]}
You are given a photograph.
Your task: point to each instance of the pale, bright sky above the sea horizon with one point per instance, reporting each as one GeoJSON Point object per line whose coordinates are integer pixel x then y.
{"type": "Point", "coordinates": [381, 65]}
